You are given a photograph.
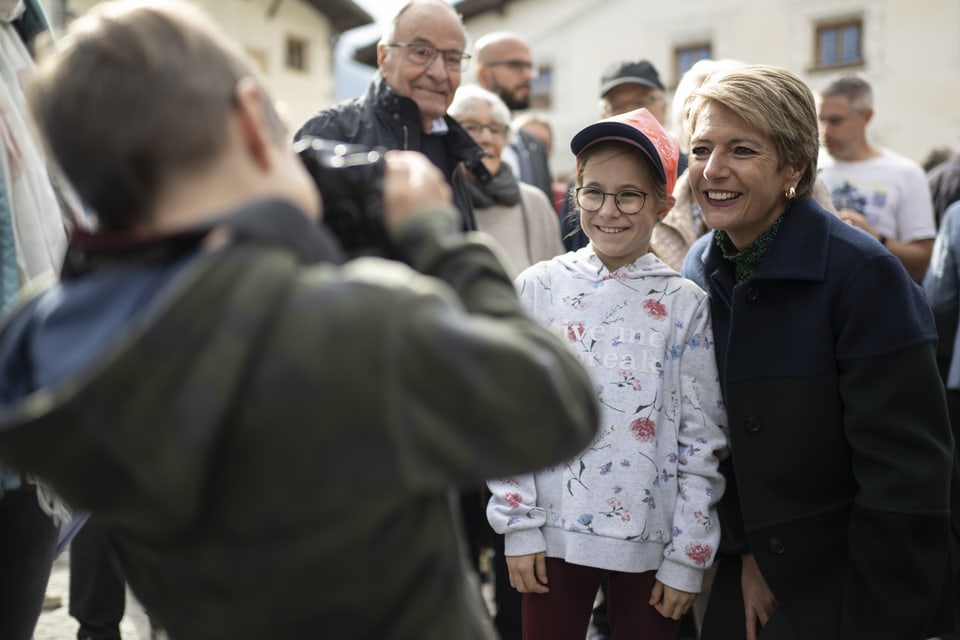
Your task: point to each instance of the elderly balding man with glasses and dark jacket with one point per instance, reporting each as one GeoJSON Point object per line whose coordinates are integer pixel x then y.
{"type": "Point", "coordinates": [420, 61]}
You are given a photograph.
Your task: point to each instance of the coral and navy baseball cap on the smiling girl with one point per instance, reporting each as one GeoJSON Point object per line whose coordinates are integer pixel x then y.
{"type": "Point", "coordinates": [637, 128]}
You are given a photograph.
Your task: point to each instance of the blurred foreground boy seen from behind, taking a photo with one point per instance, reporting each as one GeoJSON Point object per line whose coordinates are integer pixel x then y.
{"type": "Point", "coordinates": [270, 439]}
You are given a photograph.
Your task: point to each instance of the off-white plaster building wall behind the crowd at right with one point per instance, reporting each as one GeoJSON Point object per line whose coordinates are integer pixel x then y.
{"type": "Point", "coordinates": [912, 53]}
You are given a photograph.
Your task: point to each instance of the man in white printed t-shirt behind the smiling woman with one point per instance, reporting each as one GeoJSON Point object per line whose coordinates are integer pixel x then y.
{"type": "Point", "coordinates": [874, 189]}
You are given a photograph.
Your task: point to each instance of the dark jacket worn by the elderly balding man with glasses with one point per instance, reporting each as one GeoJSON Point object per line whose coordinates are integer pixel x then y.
{"type": "Point", "coordinates": [382, 117]}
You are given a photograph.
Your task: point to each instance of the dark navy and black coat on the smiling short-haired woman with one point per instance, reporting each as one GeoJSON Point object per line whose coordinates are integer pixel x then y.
{"type": "Point", "coordinates": [840, 444]}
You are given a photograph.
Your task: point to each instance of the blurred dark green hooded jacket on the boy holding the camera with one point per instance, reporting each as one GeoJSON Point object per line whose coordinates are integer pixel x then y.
{"type": "Point", "coordinates": [273, 448]}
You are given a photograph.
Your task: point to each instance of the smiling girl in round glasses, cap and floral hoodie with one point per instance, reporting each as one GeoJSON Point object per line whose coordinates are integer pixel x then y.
{"type": "Point", "coordinates": [638, 503]}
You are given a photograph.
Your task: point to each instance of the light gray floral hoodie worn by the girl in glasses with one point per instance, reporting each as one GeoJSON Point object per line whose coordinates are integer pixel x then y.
{"type": "Point", "coordinates": [642, 495]}
